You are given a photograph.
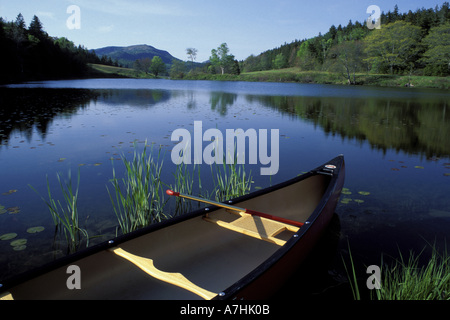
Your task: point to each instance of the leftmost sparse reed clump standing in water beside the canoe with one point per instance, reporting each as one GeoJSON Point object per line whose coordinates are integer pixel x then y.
{"type": "Point", "coordinates": [65, 214]}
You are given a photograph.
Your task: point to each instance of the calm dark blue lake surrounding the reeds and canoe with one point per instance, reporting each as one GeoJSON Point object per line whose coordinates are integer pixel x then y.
{"type": "Point", "coordinates": [395, 142]}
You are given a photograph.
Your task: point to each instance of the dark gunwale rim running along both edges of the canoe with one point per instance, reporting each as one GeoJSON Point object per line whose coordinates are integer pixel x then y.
{"type": "Point", "coordinates": [231, 291]}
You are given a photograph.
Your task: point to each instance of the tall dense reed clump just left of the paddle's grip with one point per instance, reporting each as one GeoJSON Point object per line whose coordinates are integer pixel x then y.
{"type": "Point", "coordinates": [139, 196]}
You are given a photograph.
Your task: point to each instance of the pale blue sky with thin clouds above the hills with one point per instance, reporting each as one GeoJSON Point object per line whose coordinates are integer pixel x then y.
{"type": "Point", "coordinates": [247, 26]}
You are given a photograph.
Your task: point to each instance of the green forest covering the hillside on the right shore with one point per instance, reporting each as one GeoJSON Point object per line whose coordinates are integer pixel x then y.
{"type": "Point", "coordinates": [407, 43]}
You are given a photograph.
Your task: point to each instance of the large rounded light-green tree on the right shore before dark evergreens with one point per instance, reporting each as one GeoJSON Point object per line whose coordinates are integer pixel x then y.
{"type": "Point", "coordinates": [394, 46]}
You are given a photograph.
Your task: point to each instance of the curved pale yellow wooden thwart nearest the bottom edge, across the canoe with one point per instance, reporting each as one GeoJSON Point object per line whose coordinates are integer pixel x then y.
{"type": "Point", "coordinates": [176, 279]}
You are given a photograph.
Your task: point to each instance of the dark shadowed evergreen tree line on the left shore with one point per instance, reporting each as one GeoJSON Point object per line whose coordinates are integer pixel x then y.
{"type": "Point", "coordinates": [29, 53]}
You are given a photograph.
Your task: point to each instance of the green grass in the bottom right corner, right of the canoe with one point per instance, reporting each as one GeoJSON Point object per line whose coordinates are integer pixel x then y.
{"type": "Point", "coordinates": [407, 279]}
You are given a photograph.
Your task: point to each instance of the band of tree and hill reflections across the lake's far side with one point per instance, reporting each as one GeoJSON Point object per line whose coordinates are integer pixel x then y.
{"type": "Point", "coordinates": [414, 126]}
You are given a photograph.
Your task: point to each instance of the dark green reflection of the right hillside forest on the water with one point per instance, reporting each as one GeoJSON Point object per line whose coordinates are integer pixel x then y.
{"type": "Point", "coordinates": [409, 125]}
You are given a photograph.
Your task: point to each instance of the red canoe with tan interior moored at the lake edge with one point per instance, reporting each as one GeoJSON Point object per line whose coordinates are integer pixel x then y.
{"type": "Point", "coordinates": [211, 253]}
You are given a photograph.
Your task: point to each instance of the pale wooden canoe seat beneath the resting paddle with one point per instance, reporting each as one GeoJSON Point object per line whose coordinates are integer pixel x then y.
{"type": "Point", "coordinates": [254, 226]}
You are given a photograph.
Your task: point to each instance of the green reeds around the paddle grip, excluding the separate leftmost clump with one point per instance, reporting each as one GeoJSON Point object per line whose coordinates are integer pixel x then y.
{"type": "Point", "coordinates": [140, 198]}
